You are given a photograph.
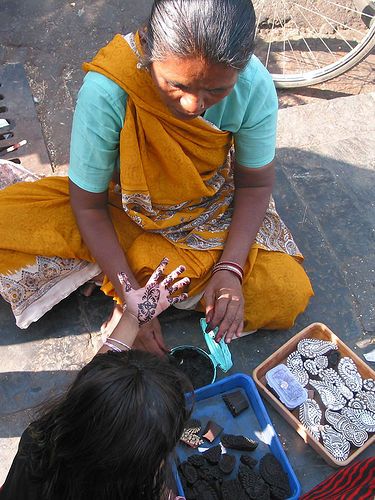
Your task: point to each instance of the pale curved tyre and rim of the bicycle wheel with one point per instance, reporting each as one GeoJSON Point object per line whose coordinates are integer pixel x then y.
{"type": "Point", "coordinates": [331, 71]}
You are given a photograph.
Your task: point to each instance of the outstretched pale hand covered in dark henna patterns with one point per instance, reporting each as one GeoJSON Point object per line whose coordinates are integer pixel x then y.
{"type": "Point", "coordinates": [148, 302]}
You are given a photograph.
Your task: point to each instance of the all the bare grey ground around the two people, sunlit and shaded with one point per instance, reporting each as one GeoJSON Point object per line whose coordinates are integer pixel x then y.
{"type": "Point", "coordinates": [324, 192]}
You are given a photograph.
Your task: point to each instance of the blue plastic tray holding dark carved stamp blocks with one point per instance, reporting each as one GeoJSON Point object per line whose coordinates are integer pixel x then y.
{"type": "Point", "coordinates": [253, 423]}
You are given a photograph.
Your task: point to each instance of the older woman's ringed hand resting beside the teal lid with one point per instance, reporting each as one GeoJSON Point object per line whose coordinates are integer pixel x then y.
{"type": "Point", "coordinates": [224, 305]}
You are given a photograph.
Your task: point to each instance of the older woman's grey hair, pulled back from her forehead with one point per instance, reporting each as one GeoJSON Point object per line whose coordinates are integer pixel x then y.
{"type": "Point", "coordinates": [220, 31]}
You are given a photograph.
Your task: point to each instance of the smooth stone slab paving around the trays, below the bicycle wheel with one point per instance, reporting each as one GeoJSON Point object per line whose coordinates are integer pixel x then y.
{"type": "Point", "coordinates": [324, 192]}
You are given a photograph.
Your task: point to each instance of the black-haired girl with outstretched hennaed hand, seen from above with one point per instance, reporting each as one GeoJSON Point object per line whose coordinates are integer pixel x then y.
{"type": "Point", "coordinates": [110, 435]}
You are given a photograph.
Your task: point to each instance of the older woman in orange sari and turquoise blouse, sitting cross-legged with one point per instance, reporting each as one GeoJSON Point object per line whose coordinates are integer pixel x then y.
{"type": "Point", "coordinates": [183, 116]}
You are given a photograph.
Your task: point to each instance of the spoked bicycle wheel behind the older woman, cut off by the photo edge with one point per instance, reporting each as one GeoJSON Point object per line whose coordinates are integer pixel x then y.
{"type": "Point", "coordinates": [305, 42]}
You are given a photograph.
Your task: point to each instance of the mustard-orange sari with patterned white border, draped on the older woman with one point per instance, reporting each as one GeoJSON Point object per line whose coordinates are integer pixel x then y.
{"type": "Point", "coordinates": [174, 199]}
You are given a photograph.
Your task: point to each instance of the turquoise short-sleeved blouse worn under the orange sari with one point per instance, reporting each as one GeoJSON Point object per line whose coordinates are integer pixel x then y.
{"type": "Point", "coordinates": [249, 112]}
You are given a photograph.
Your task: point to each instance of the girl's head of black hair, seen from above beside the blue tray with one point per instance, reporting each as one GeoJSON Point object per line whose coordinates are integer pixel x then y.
{"type": "Point", "coordinates": [111, 433]}
